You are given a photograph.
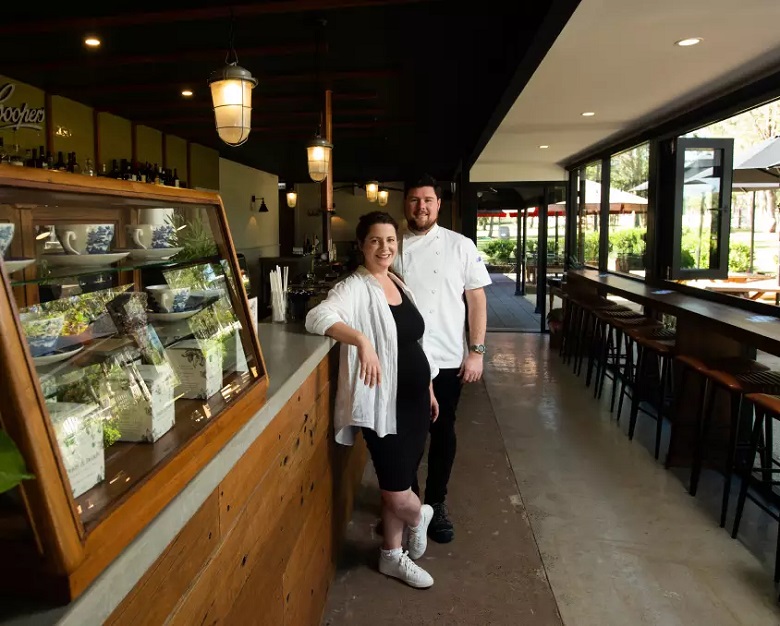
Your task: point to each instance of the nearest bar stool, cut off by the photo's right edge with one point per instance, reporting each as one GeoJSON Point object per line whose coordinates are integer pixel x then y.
{"type": "Point", "coordinates": [766, 406]}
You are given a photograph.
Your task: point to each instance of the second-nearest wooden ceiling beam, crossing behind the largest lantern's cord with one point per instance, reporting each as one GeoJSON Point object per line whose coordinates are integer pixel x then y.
{"type": "Point", "coordinates": [168, 57]}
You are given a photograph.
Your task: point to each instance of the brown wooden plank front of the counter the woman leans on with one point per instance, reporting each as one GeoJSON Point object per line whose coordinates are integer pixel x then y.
{"type": "Point", "coordinates": [290, 497]}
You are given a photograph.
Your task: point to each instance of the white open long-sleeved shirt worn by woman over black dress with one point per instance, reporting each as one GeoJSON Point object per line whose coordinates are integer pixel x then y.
{"type": "Point", "coordinates": [359, 301]}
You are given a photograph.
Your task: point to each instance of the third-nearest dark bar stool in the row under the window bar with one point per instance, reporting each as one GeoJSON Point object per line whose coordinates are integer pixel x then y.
{"type": "Point", "coordinates": [661, 343]}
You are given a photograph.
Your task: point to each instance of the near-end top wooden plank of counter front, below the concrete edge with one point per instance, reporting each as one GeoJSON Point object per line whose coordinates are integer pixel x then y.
{"type": "Point", "coordinates": [161, 588]}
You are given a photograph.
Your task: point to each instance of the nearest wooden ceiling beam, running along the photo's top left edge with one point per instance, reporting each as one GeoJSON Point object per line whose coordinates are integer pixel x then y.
{"type": "Point", "coordinates": [139, 18]}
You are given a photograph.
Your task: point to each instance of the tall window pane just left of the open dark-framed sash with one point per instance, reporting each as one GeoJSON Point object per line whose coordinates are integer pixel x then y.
{"type": "Point", "coordinates": [628, 179]}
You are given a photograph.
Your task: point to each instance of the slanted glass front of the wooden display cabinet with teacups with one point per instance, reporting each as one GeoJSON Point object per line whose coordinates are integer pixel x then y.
{"type": "Point", "coordinates": [132, 318]}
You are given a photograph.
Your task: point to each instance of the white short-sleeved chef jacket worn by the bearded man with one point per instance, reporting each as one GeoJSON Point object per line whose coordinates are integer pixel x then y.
{"type": "Point", "coordinates": [438, 267]}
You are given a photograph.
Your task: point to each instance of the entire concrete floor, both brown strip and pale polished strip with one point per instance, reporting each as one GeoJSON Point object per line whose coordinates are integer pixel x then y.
{"type": "Point", "coordinates": [560, 517]}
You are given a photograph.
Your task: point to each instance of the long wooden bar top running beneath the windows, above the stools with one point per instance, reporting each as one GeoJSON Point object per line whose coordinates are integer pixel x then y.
{"type": "Point", "coordinates": [759, 331]}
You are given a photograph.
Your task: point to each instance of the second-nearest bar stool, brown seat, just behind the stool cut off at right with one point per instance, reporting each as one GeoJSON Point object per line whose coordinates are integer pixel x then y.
{"type": "Point", "coordinates": [736, 377]}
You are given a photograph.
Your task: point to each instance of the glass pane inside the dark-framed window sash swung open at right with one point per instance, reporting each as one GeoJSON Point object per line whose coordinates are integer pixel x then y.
{"type": "Point", "coordinates": [701, 204]}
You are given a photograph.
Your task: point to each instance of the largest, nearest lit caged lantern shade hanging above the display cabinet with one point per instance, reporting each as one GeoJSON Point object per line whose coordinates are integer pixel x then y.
{"type": "Point", "coordinates": [231, 96]}
